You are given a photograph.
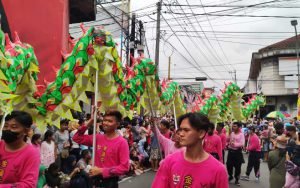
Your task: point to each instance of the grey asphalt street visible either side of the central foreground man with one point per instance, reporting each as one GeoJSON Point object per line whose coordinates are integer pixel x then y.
{"type": "Point", "coordinates": [146, 179]}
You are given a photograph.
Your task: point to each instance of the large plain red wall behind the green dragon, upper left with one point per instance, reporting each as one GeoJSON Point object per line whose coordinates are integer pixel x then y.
{"type": "Point", "coordinates": [45, 25]}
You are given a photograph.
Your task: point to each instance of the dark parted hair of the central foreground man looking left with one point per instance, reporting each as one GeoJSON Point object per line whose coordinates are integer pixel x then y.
{"type": "Point", "coordinates": [198, 121]}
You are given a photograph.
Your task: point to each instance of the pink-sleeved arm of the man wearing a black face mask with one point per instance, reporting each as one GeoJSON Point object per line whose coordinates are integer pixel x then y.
{"type": "Point", "coordinates": [30, 172]}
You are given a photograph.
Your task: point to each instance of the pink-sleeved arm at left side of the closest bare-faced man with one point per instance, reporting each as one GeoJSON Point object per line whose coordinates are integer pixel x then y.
{"type": "Point", "coordinates": [162, 177]}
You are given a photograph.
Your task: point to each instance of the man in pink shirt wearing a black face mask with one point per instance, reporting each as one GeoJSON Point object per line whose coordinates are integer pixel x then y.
{"type": "Point", "coordinates": [19, 161]}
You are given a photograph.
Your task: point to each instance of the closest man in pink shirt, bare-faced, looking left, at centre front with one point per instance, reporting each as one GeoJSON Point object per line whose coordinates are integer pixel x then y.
{"type": "Point", "coordinates": [194, 167]}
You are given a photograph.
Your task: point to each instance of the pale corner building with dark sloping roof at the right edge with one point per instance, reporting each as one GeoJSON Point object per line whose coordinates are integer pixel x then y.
{"type": "Point", "coordinates": [273, 73]}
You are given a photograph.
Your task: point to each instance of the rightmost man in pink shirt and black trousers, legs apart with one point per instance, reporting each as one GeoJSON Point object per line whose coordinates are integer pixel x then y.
{"type": "Point", "coordinates": [254, 149]}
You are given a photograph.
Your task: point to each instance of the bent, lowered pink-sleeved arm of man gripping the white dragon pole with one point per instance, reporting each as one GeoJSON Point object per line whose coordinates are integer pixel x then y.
{"type": "Point", "coordinates": [123, 167]}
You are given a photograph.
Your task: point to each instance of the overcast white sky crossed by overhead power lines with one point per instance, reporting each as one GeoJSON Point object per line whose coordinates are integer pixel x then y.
{"type": "Point", "coordinates": [214, 53]}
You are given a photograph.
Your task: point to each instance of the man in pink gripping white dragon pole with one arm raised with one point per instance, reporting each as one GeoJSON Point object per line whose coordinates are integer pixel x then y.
{"type": "Point", "coordinates": [112, 151]}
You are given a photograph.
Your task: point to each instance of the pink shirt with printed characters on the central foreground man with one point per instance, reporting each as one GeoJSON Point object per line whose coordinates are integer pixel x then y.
{"type": "Point", "coordinates": [176, 172]}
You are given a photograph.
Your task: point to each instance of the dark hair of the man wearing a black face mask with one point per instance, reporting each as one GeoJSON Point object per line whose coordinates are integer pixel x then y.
{"type": "Point", "coordinates": [21, 117]}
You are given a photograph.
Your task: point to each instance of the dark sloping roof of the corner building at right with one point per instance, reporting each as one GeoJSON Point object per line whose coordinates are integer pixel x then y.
{"type": "Point", "coordinates": [285, 44]}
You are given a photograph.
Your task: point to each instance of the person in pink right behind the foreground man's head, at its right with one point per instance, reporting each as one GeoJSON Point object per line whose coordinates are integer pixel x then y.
{"type": "Point", "coordinates": [212, 143]}
